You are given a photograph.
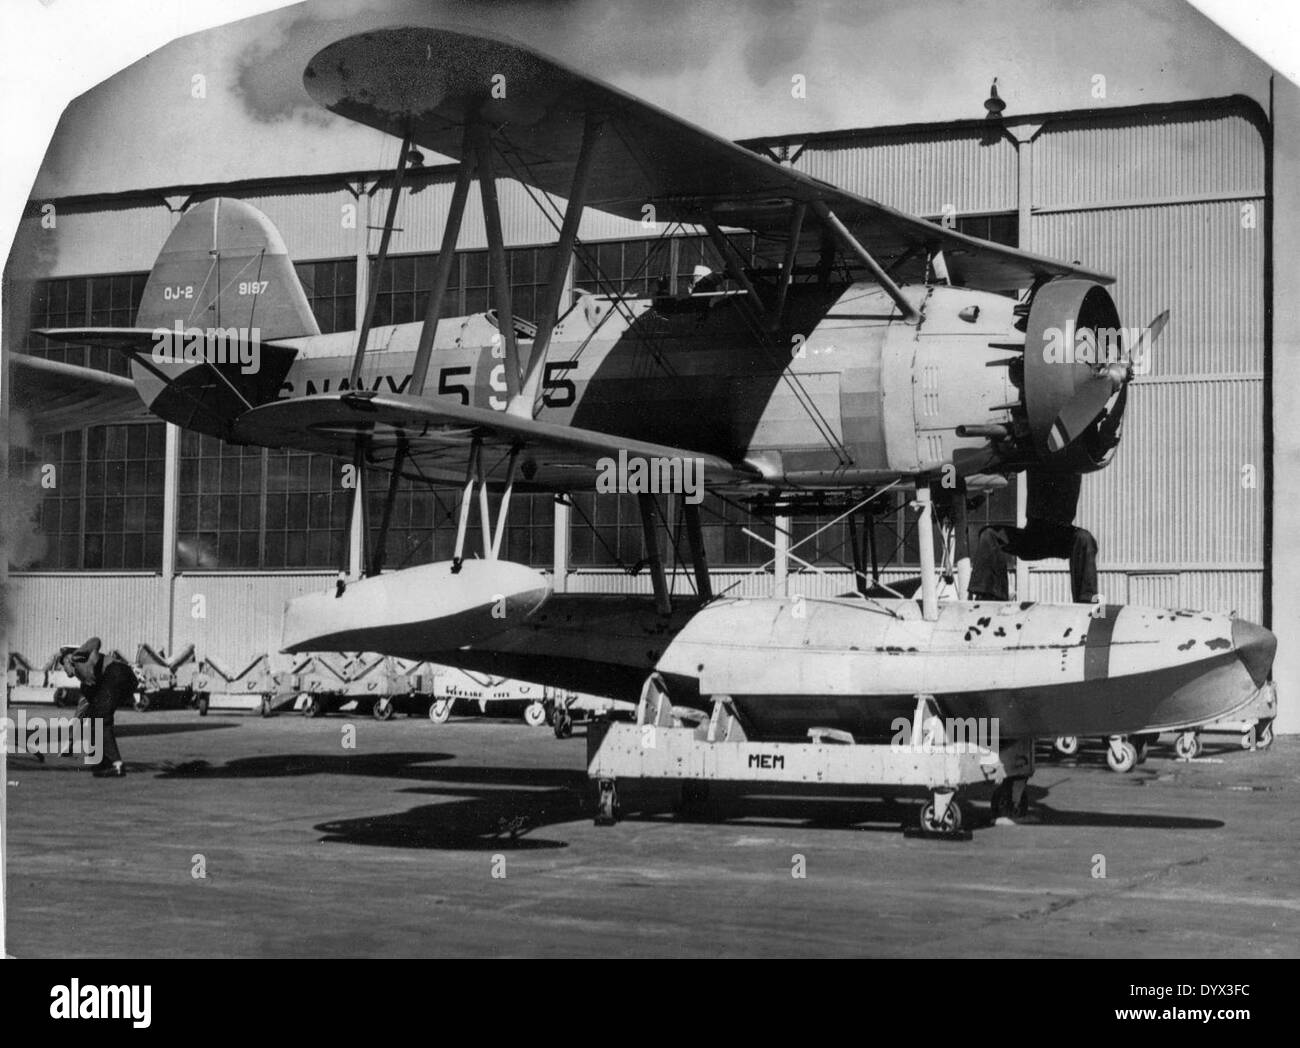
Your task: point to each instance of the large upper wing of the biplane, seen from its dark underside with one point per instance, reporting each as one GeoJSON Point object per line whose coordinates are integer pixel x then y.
{"type": "Point", "coordinates": [434, 80]}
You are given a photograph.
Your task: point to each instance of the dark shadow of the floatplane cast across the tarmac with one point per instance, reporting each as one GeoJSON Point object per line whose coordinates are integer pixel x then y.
{"type": "Point", "coordinates": [502, 808]}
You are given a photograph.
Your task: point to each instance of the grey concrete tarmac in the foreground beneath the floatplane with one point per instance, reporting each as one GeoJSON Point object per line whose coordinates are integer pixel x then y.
{"type": "Point", "coordinates": [240, 837]}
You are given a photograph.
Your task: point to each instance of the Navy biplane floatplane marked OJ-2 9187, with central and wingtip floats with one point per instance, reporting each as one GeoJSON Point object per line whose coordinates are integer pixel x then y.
{"type": "Point", "coordinates": [882, 352]}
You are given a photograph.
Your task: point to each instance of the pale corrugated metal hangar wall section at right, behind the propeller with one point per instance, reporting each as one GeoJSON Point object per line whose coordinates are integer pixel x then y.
{"type": "Point", "coordinates": [1185, 497]}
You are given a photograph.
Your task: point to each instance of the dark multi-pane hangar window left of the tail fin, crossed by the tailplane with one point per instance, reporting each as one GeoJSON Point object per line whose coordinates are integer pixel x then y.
{"type": "Point", "coordinates": [80, 302]}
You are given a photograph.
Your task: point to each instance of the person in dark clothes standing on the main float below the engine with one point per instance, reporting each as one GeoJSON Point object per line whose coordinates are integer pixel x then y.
{"type": "Point", "coordinates": [1048, 532]}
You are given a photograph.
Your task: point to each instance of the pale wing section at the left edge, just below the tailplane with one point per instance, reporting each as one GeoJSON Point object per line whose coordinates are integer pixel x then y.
{"type": "Point", "coordinates": [55, 397]}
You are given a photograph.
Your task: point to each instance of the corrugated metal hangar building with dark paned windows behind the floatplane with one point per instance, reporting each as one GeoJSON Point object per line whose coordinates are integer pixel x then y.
{"type": "Point", "coordinates": [1173, 200]}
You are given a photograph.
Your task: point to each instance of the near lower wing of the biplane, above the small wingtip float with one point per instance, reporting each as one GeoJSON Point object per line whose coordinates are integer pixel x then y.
{"type": "Point", "coordinates": [436, 441]}
